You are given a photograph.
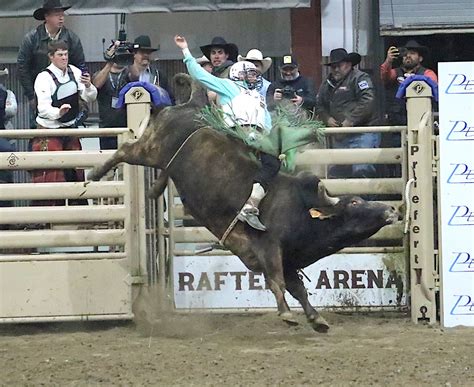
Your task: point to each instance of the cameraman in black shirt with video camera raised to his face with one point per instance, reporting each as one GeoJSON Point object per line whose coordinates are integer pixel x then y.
{"type": "Point", "coordinates": [108, 82]}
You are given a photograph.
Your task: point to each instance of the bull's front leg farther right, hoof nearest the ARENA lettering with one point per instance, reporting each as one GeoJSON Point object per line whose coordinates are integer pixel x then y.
{"type": "Point", "coordinates": [295, 286]}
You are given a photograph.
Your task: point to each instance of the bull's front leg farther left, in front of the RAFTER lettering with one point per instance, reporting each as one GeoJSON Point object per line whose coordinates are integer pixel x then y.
{"type": "Point", "coordinates": [274, 276]}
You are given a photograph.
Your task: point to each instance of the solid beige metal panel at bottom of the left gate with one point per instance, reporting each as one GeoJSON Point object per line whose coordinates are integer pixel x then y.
{"type": "Point", "coordinates": [40, 290]}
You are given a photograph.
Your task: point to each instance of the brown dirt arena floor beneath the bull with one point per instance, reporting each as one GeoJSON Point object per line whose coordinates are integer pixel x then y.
{"type": "Point", "coordinates": [237, 349]}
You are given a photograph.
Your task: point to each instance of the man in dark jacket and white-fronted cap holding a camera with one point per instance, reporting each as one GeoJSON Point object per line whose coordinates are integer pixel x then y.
{"type": "Point", "coordinates": [291, 86]}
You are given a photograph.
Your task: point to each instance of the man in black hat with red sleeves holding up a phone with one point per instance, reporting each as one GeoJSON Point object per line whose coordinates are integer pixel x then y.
{"type": "Point", "coordinates": [412, 55]}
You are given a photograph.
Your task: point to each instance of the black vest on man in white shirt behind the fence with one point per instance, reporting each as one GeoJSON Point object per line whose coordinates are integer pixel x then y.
{"type": "Point", "coordinates": [66, 92]}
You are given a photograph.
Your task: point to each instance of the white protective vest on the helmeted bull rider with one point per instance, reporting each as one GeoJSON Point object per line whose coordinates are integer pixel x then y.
{"type": "Point", "coordinates": [247, 108]}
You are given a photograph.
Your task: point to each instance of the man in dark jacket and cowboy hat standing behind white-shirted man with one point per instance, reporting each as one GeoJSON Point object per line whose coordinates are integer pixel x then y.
{"type": "Point", "coordinates": [33, 53]}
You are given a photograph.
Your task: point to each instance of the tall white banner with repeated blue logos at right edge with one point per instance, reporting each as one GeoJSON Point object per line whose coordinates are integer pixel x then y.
{"type": "Point", "coordinates": [456, 91]}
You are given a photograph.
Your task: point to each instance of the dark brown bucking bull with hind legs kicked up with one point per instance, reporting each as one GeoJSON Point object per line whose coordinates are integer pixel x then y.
{"type": "Point", "coordinates": [213, 174]}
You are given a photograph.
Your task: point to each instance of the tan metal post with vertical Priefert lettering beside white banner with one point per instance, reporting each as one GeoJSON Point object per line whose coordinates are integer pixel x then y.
{"type": "Point", "coordinates": [420, 138]}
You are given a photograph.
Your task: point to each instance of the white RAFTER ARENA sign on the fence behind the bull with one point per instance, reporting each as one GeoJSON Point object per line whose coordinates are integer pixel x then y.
{"type": "Point", "coordinates": [342, 280]}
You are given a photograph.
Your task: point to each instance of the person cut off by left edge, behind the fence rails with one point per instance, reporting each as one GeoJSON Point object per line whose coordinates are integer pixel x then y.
{"type": "Point", "coordinates": [8, 109]}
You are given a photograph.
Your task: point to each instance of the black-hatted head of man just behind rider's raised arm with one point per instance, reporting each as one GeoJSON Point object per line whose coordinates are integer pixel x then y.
{"type": "Point", "coordinates": [222, 55]}
